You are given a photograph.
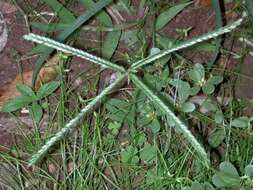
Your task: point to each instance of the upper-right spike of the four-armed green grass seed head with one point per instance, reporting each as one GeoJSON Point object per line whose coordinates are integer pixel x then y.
{"type": "Point", "coordinates": [186, 44]}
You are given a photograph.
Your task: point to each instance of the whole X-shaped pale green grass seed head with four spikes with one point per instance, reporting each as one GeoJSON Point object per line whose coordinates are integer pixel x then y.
{"type": "Point", "coordinates": [131, 74]}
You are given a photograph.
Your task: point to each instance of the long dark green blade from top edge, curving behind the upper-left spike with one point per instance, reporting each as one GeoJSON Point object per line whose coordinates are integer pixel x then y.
{"type": "Point", "coordinates": [66, 33]}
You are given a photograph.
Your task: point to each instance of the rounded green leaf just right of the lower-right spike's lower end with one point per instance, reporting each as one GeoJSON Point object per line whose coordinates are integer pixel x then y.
{"type": "Point", "coordinates": [216, 137]}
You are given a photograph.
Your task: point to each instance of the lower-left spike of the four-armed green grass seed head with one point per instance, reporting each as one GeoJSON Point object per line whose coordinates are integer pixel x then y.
{"type": "Point", "coordinates": [72, 124]}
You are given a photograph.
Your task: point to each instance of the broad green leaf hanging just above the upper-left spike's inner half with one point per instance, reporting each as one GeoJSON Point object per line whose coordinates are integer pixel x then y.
{"type": "Point", "coordinates": [110, 44]}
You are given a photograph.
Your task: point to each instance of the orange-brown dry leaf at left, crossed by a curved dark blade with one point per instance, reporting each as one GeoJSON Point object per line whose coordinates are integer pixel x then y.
{"type": "Point", "coordinates": [47, 73]}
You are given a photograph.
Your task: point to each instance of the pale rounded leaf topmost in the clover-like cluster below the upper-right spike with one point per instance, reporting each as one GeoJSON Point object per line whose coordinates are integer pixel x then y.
{"type": "Point", "coordinates": [197, 73]}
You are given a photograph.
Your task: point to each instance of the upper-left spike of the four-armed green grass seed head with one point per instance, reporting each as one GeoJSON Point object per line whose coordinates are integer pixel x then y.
{"type": "Point", "coordinates": [77, 52]}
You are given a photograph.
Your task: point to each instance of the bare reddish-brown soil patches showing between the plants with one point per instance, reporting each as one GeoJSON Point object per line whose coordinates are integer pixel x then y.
{"type": "Point", "coordinates": [200, 18]}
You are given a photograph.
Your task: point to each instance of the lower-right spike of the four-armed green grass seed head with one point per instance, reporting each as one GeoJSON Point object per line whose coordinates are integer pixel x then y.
{"type": "Point", "coordinates": [162, 105]}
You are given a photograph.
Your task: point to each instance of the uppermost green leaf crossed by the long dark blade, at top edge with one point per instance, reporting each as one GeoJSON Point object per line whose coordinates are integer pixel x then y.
{"type": "Point", "coordinates": [102, 16]}
